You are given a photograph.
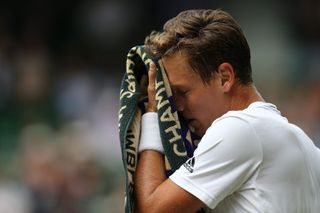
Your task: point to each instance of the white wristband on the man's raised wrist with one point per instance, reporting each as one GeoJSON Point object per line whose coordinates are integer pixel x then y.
{"type": "Point", "coordinates": [150, 133]}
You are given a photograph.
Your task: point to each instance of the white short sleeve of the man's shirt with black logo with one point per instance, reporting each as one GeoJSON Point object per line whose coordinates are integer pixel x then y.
{"type": "Point", "coordinates": [227, 156]}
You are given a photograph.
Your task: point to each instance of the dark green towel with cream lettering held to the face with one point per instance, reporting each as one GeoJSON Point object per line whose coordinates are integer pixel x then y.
{"type": "Point", "coordinates": [177, 140]}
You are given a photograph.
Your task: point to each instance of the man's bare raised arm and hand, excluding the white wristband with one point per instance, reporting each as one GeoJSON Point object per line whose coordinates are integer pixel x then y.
{"type": "Point", "coordinates": [153, 191]}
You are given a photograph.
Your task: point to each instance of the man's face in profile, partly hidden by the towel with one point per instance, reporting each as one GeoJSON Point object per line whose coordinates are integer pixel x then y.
{"type": "Point", "coordinates": [200, 104]}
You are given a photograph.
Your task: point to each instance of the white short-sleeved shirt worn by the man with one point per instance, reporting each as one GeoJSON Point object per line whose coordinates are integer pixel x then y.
{"type": "Point", "coordinates": [254, 161]}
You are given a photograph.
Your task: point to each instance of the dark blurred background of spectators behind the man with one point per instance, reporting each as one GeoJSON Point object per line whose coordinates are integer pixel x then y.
{"type": "Point", "coordinates": [61, 64]}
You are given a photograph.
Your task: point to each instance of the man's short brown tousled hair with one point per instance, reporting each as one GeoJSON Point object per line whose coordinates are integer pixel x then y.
{"type": "Point", "coordinates": [208, 38]}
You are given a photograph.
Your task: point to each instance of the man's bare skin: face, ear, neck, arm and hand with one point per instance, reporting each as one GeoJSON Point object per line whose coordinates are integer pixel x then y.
{"type": "Point", "coordinates": [200, 104]}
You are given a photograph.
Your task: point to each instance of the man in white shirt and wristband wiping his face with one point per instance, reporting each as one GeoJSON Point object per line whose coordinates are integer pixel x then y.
{"type": "Point", "coordinates": [250, 158]}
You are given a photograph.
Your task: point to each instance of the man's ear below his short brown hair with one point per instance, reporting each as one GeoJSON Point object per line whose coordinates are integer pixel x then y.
{"type": "Point", "coordinates": [226, 73]}
